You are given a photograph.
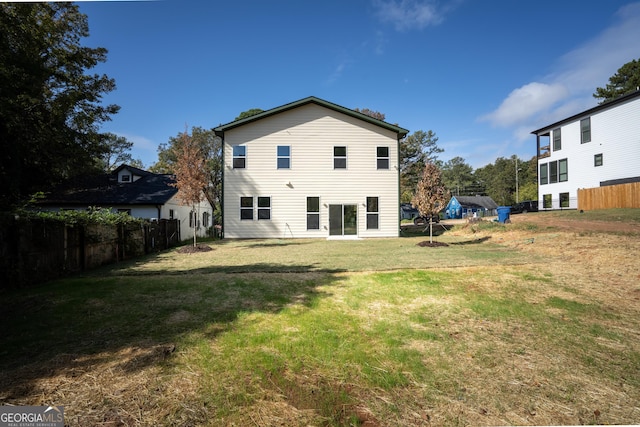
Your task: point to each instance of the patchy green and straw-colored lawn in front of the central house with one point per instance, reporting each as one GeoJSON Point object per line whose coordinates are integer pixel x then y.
{"type": "Point", "coordinates": [316, 332]}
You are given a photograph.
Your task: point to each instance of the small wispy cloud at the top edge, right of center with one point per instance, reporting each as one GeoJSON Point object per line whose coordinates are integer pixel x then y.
{"type": "Point", "coordinates": [407, 15]}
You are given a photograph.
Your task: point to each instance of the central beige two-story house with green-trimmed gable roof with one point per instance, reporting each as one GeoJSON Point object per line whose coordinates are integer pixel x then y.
{"type": "Point", "coordinates": [310, 168]}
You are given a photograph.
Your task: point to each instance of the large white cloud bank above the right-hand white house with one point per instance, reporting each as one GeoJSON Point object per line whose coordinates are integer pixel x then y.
{"type": "Point", "coordinates": [568, 89]}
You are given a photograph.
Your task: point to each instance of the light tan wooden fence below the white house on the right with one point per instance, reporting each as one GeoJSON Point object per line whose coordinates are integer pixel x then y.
{"type": "Point", "coordinates": [612, 196]}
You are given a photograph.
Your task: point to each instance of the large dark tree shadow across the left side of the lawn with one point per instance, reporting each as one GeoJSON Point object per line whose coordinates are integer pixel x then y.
{"type": "Point", "coordinates": [74, 324]}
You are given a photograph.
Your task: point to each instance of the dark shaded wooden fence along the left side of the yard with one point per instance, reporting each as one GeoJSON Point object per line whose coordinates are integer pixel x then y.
{"type": "Point", "coordinates": [34, 251]}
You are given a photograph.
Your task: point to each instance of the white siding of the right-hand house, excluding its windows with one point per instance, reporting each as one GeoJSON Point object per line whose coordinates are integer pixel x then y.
{"type": "Point", "coordinates": [615, 133]}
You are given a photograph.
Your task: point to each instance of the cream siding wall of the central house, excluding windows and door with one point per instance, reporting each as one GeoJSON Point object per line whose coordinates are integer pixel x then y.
{"type": "Point", "coordinates": [311, 131]}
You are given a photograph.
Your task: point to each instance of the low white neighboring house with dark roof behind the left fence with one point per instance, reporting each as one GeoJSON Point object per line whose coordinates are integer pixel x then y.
{"type": "Point", "coordinates": [140, 193]}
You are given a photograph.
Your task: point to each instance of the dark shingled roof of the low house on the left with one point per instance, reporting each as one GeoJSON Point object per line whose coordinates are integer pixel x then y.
{"type": "Point", "coordinates": [105, 190]}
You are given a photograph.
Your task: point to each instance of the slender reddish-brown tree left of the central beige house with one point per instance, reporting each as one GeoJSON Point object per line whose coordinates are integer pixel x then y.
{"type": "Point", "coordinates": [191, 176]}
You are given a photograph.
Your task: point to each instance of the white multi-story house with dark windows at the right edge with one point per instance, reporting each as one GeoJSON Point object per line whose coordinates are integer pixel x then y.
{"type": "Point", "coordinates": [597, 147]}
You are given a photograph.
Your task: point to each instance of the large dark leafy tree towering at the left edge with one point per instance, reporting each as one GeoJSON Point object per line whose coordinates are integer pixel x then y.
{"type": "Point", "coordinates": [50, 107]}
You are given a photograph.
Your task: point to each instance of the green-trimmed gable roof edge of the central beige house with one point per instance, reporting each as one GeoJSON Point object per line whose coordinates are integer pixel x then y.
{"type": "Point", "coordinates": [310, 100]}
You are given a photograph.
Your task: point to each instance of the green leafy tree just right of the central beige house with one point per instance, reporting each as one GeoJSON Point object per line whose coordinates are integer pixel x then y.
{"type": "Point", "coordinates": [415, 151]}
